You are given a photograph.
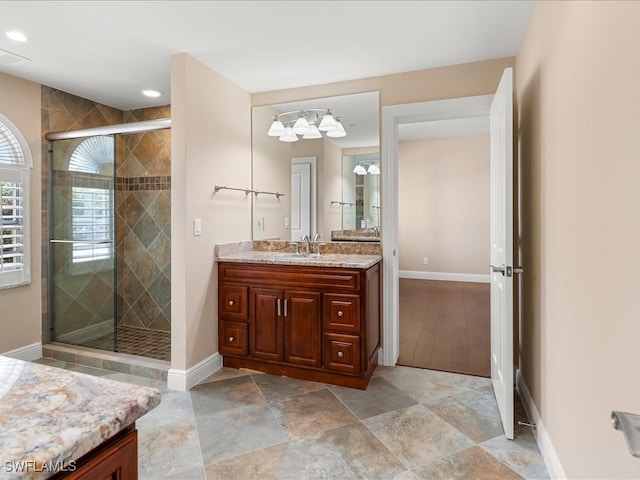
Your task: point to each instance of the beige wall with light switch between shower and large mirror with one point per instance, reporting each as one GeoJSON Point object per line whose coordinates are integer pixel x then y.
{"type": "Point", "coordinates": [210, 144]}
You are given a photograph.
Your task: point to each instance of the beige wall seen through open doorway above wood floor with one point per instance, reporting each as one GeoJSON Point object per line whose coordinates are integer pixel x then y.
{"type": "Point", "coordinates": [443, 204]}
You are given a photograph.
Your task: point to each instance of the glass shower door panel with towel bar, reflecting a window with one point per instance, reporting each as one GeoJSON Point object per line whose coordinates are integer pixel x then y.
{"type": "Point", "coordinates": [82, 242]}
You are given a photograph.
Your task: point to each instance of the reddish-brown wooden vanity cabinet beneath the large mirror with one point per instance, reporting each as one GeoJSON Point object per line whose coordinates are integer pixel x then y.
{"type": "Point", "coordinates": [314, 323]}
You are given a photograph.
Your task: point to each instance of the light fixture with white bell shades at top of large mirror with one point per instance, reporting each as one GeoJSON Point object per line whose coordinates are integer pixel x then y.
{"type": "Point", "coordinates": [309, 123]}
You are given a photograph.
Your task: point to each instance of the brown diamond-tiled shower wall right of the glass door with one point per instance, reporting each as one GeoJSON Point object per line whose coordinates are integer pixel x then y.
{"type": "Point", "coordinates": [144, 225]}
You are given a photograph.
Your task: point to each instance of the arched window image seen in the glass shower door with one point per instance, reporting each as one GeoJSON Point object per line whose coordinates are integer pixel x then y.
{"type": "Point", "coordinates": [92, 219]}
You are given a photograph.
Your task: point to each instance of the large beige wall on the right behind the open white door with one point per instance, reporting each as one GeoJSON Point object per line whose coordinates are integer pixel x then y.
{"type": "Point", "coordinates": [578, 88]}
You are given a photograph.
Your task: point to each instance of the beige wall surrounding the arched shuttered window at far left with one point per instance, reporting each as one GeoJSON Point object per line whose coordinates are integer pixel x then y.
{"type": "Point", "coordinates": [20, 317]}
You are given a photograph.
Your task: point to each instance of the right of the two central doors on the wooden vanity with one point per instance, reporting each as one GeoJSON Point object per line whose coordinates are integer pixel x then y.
{"type": "Point", "coordinates": [302, 328]}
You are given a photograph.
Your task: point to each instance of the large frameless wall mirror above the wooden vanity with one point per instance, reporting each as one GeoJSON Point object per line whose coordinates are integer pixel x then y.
{"type": "Point", "coordinates": [322, 155]}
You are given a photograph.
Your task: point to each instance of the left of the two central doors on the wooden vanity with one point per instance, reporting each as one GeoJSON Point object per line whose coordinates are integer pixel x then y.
{"type": "Point", "coordinates": [266, 324]}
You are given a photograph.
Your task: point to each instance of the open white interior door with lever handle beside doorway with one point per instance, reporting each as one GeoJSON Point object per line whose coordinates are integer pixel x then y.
{"type": "Point", "coordinates": [501, 116]}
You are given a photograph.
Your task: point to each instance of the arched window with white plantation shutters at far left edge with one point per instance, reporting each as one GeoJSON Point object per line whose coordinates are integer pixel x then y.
{"type": "Point", "coordinates": [15, 165]}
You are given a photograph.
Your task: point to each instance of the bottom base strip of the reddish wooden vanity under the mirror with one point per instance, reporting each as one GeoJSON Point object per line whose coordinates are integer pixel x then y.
{"type": "Point", "coordinates": [303, 373]}
